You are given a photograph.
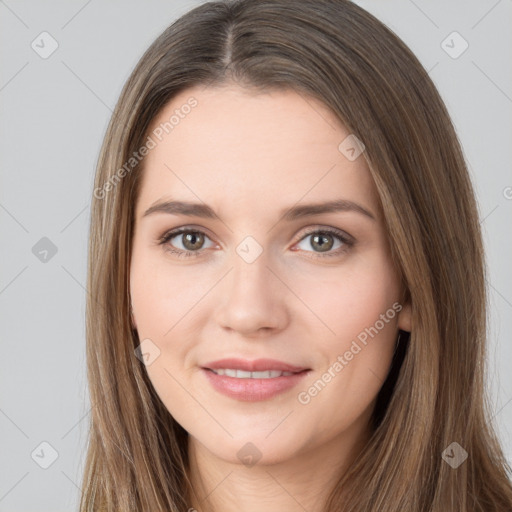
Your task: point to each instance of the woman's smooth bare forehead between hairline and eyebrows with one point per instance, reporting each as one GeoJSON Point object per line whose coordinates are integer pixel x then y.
{"type": "Point", "coordinates": [250, 150]}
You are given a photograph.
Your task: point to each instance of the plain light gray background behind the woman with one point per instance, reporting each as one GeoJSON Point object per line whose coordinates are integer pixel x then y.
{"type": "Point", "coordinates": [53, 115]}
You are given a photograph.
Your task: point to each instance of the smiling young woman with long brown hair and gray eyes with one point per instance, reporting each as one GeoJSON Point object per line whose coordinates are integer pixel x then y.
{"type": "Point", "coordinates": [287, 281]}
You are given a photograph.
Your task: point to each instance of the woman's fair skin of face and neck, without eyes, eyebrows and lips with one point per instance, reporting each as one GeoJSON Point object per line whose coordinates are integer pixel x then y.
{"type": "Point", "coordinates": [251, 156]}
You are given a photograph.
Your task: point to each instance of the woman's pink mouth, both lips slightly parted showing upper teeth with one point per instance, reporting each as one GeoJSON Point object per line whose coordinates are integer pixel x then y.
{"type": "Point", "coordinates": [251, 381]}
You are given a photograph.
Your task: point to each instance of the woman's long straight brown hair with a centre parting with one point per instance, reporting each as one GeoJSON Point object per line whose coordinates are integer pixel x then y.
{"type": "Point", "coordinates": [336, 52]}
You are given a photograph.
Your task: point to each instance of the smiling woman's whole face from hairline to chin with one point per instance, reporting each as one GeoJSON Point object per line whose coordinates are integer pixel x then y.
{"type": "Point", "coordinates": [258, 278]}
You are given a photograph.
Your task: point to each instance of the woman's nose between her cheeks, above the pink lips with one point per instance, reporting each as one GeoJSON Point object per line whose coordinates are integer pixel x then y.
{"type": "Point", "coordinates": [252, 299]}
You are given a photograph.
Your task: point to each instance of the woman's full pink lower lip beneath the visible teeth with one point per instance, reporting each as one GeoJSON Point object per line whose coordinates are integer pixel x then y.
{"type": "Point", "coordinates": [253, 390]}
